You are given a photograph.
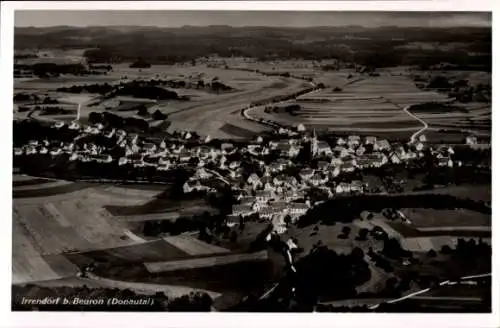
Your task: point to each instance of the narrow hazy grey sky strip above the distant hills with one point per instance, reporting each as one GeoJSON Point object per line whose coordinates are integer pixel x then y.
{"type": "Point", "coordinates": [47, 18]}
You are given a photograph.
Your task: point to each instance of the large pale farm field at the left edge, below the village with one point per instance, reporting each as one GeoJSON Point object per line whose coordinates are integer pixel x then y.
{"type": "Point", "coordinates": [54, 220]}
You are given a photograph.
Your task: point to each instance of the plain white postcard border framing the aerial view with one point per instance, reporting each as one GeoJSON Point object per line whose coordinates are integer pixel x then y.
{"type": "Point", "coordinates": [34, 319]}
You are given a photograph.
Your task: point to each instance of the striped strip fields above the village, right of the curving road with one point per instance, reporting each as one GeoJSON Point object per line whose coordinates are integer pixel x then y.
{"type": "Point", "coordinates": [368, 104]}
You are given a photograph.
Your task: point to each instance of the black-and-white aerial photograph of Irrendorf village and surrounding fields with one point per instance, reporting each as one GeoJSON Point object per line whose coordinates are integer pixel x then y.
{"type": "Point", "coordinates": [252, 161]}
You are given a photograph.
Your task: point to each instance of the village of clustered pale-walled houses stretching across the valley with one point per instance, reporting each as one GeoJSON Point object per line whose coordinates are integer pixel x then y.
{"type": "Point", "coordinates": [270, 191]}
